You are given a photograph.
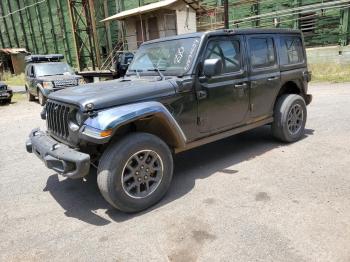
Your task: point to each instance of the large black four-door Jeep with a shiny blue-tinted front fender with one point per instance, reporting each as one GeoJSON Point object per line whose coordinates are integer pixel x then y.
{"type": "Point", "coordinates": [178, 93]}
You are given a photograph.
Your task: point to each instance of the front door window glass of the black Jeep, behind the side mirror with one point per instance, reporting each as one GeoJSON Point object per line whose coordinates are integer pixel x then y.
{"type": "Point", "coordinates": [226, 50]}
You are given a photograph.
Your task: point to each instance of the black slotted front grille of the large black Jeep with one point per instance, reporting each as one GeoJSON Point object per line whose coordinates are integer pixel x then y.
{"type": "Point", "coordinates": [57, 118]}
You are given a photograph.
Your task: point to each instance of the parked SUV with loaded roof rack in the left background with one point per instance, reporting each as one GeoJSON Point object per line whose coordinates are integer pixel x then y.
{"type": "Point", "coordinates": [45, 74]}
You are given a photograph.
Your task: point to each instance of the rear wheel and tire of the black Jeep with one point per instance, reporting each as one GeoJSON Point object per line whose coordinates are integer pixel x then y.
{"type": "Point", "coordinates": [289, 118]}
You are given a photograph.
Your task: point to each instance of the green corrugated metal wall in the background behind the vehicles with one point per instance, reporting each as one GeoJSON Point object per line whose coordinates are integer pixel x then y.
{"type": "Point", "coordinates": [44, 26]}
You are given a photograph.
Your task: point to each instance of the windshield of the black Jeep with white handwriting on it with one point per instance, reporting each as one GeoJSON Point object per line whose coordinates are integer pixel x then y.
{"type": "Point", "coordinates": [173, 57]}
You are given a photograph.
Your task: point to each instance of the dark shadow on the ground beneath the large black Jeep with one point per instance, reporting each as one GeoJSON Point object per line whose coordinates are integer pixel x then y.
{"type": "Point", "coordinates": [81, 199]}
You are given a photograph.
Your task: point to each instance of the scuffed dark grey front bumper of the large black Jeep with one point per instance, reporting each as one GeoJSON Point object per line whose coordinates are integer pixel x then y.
{"type": "Point", "coordinates": [57, 156]}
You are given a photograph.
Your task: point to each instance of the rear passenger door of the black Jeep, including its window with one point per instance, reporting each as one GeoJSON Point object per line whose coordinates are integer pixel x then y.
{"type": "Point", "coordinates": [265, 76]}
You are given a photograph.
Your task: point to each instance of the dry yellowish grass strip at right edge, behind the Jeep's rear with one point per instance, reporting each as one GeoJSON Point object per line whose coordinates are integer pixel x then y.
{"type": "Point", "coordinates": [335, 73]}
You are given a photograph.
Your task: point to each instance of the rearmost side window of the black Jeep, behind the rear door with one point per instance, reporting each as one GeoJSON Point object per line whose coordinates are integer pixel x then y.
{"type": "Point", "coordinates": [291, 50]}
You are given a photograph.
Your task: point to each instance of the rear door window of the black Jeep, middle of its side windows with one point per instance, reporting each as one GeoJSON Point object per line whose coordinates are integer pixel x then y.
{"type": "Point", "coordinates": [262, 52]}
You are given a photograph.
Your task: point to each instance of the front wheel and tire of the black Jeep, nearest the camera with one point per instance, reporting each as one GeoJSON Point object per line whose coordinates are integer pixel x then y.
{"type": "Point", "coordinates": [114, 174]}
